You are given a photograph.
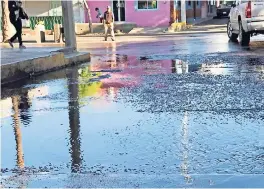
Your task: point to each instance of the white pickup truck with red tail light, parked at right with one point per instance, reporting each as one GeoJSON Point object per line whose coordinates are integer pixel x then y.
{"type": "Point", "coordinates": [246, 19]}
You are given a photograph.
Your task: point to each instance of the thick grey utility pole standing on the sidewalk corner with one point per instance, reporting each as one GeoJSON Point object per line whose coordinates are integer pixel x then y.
{"type": "Point", "coordinates": [68, 24]}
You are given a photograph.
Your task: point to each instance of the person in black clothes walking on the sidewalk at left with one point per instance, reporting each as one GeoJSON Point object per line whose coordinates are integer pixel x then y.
{"type": "Point", "coordinates": [16, 13]}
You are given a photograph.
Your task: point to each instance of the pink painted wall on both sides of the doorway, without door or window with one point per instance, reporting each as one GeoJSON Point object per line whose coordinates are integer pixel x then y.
{"type": "Point", "coordinates": [143, 18]}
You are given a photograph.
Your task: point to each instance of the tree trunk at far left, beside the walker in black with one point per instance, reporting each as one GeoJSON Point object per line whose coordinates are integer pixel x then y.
{"type": "Point", "coordinates": [4, 25]}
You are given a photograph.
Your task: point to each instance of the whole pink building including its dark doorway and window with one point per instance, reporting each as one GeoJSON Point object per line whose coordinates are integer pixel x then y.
{"type": "Point", "coordinates": [144, 13]}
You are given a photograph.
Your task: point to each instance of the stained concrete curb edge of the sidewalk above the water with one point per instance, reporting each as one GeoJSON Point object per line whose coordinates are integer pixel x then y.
{"type": "Point", "coordinates": [25, 69]}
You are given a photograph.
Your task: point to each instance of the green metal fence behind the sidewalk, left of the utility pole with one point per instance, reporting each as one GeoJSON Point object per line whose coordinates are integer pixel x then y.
{"type": "Point", "coordinates": [49, 21]}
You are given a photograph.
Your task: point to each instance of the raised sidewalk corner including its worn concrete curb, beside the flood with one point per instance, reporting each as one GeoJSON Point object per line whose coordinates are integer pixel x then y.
{"type": "Point", "coordinates": [17, 64]}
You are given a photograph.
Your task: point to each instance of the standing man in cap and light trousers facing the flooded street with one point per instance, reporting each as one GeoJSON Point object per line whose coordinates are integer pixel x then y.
{"type": "Point", "coordinates": [109, 23]}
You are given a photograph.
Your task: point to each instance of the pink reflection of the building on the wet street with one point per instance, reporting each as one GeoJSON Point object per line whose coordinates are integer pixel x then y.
{"type": "Point", "coordinates": [127, 71]}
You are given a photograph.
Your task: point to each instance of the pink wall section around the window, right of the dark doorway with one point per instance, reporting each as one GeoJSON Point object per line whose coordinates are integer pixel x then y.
{"type": "Point", "coordinates": [148, 18]}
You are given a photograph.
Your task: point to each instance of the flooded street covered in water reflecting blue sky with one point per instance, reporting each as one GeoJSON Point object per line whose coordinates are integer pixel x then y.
{"type": "Point", "coordinates": [170, 113]}
